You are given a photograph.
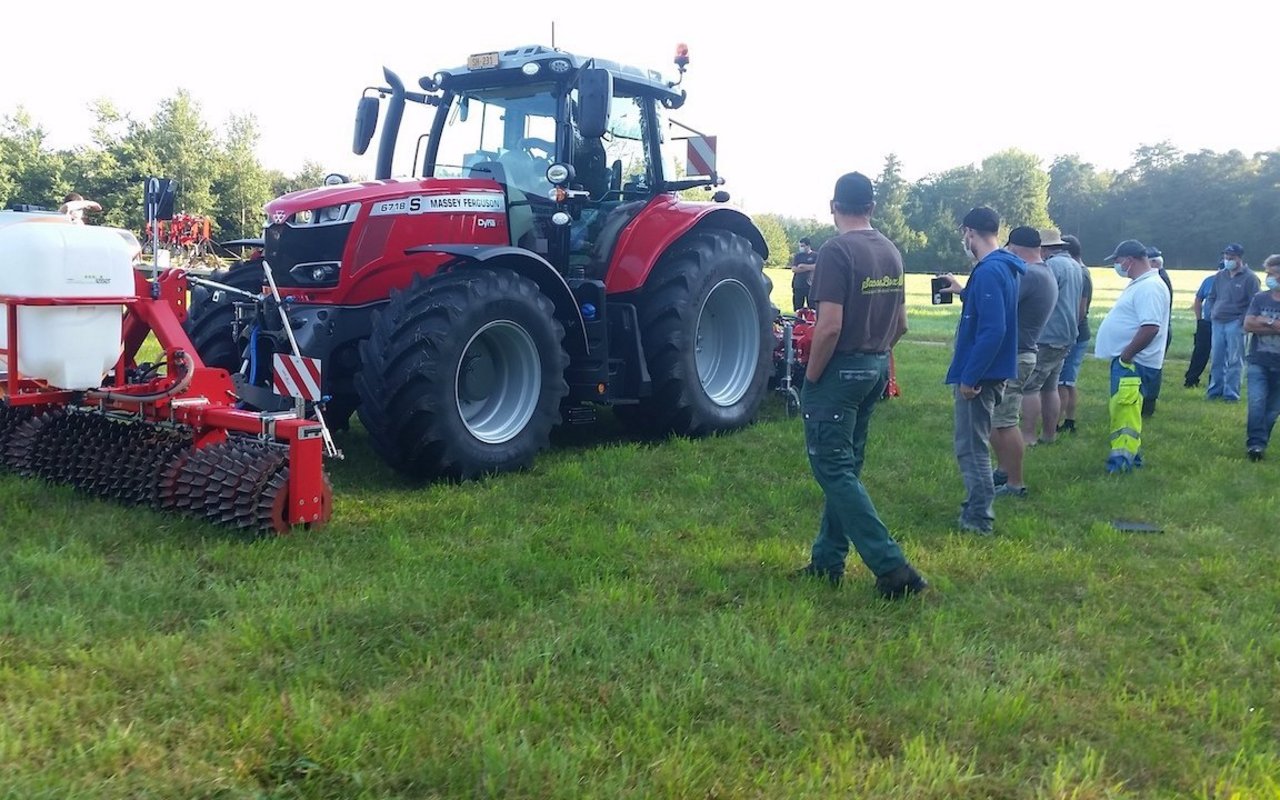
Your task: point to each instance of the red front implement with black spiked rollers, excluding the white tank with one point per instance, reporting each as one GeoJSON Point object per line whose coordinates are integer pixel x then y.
{"type": "Point", "coordinates": [166, 435]}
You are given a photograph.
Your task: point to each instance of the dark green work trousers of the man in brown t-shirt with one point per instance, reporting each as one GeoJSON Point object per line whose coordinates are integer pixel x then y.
{"type": "Point", "coordinates": [838, 413]}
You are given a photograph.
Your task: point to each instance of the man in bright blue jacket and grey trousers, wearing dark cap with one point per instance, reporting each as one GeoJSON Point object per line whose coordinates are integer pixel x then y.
{"type": "Point", "coordinates": [986, 358]}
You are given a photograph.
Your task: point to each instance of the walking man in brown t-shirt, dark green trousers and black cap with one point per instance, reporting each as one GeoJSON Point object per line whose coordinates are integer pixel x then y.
{"type": "Point", "coordinates": [861, 295]}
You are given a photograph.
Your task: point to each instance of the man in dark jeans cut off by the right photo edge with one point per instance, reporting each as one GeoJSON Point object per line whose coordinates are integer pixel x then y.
{"type": "Point", "coordinates": [1264, 323]}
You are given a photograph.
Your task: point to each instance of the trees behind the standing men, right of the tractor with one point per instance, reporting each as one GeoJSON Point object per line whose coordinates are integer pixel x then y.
{"type": "Point", "coordinates": [1187, 204]}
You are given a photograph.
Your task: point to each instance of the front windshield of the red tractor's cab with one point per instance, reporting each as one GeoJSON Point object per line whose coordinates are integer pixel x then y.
{"type": "Point", "coordinates": [513, 127]}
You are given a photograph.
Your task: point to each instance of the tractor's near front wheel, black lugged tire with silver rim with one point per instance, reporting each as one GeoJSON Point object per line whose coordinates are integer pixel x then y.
{"type": "Point", "coordinates": [463, 376]}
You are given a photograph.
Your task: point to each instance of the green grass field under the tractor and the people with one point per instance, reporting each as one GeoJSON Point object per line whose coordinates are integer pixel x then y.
{"type": "Point", "coordinates": [619, 623]}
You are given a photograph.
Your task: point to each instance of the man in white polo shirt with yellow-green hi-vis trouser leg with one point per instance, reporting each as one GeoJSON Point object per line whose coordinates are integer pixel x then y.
{"type": "Point", "coordinates": [1133, 336]}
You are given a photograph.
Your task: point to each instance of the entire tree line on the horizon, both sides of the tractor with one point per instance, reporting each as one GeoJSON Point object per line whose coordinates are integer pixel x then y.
{"type": "Point", "coordinates": [1188, 204]}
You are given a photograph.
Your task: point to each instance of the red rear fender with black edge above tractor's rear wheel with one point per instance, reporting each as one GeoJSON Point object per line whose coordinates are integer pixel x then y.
{"type": "Point", "coordinates": [659, 227]}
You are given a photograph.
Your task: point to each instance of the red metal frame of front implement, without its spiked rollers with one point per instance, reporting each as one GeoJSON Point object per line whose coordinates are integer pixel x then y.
{"type": "Point", "coordinates": [205, 405]}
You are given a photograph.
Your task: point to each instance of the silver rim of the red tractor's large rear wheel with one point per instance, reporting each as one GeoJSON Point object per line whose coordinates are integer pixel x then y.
{"type": "Point", "coordinates": [728, 342]}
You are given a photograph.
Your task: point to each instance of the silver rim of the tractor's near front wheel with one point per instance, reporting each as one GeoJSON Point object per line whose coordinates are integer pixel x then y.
{"type": "Point", "coordinates": [499, 382]}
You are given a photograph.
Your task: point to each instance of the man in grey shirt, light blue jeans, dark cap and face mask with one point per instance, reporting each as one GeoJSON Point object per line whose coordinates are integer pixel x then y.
{"type": "Point", "coordinates": [1235, 287]}
